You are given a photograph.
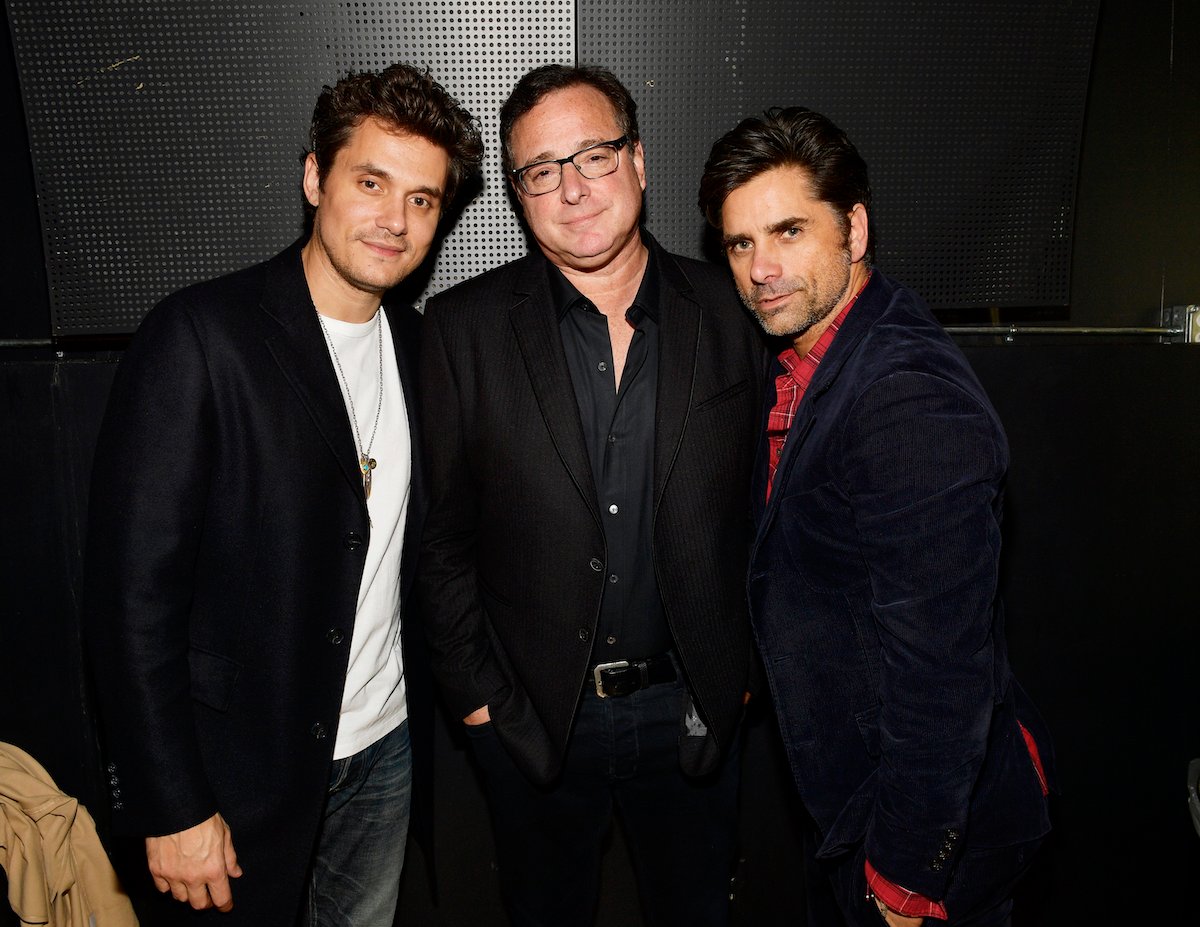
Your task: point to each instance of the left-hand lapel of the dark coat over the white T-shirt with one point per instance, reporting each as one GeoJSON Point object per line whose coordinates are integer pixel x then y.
{"type": "Point", "coordinates": [299, 349]}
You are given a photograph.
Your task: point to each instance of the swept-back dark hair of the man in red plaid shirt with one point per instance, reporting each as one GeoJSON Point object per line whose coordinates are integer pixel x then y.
{"type": "Point", "coordinates": [789, 137]}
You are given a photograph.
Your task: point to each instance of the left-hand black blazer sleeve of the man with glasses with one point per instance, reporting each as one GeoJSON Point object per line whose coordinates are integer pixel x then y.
{"type": "Point", "coordinates": [461, 649]}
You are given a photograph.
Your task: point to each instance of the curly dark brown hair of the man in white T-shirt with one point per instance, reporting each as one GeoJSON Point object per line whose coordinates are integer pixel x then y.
{"type": "Point", "coordinates": [406, 99]}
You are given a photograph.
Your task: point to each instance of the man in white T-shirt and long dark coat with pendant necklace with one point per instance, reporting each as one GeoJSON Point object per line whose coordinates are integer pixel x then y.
{"type": "Point", "coordinates": [256, 509]}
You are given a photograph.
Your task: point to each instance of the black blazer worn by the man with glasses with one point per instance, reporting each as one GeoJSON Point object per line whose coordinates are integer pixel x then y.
{"type": "Point", "coordinates": [514, 557]}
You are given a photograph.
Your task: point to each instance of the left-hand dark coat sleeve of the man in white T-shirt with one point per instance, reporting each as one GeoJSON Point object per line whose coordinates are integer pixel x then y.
{"type": "Point", "coordinates": [149, 491]}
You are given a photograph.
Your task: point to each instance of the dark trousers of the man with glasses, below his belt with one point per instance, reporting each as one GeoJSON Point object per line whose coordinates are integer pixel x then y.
{"type": "Point", "coordinates": [623, 755]}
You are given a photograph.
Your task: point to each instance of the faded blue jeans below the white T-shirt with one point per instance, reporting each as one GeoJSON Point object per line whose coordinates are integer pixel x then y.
{"type": "Point", "coordinates": [361, 850]}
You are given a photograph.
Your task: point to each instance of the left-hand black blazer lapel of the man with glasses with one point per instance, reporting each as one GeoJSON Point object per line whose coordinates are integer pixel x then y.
{"type": "Point", "coordinates": [536, 327]}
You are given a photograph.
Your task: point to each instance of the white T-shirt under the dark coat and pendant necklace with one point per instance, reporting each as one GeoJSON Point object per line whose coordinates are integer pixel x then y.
{"type": "Point", "coordinates": [374, 702]}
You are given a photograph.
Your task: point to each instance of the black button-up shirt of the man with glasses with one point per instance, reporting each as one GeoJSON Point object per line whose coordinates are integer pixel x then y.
{"type": "Point", "coordinates": [619, 428]}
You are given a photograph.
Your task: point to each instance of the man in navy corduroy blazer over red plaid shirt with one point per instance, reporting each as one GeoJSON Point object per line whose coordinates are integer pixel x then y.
{"type": "Point", "coordinates": [873, 577]}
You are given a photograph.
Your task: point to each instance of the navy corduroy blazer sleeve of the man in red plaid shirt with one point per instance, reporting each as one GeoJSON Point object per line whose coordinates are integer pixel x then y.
{"type": "Point", "coordinates": [925, 467]}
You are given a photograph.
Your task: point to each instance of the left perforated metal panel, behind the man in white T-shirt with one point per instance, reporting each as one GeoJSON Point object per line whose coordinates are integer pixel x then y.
{"type": "Point", "coordinates": [167, 137]}
